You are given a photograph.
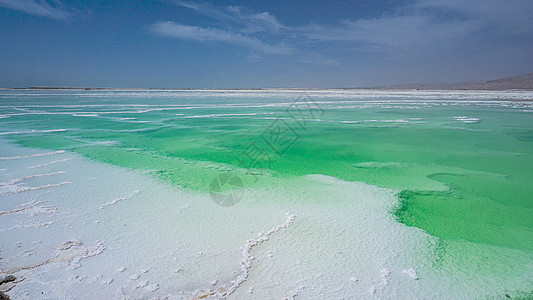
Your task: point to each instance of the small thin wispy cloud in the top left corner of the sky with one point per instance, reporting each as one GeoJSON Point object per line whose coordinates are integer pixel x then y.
{"type": "Point", "coordinates": [39, 8]}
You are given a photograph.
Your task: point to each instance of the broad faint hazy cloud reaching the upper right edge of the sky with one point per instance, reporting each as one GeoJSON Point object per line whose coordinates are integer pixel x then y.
{"type": "Point", "coordinates": [429, 24]}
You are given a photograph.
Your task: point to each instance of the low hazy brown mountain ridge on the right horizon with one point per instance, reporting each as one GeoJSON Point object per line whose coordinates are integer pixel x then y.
{"type": "Point", "coordinates": [520, 82]}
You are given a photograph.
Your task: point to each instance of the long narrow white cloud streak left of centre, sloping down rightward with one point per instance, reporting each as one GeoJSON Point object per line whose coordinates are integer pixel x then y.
{"type": "Point", "coordinates": [185, 32]}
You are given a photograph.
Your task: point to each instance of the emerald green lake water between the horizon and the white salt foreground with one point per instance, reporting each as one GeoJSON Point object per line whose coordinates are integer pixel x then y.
{"type": "Point", "coordinates": [461, 161]}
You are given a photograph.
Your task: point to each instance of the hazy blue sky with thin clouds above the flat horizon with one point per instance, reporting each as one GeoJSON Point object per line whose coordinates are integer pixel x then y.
{"type": "Point", "coordinates": [262, 44]}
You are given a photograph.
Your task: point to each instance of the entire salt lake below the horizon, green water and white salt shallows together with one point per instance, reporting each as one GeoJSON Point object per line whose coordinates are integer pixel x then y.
{"type": "Point", "coordinates": [435, 181]}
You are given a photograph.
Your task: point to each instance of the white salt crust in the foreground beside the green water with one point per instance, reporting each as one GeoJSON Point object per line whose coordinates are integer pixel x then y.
{"type": "Point", "coordinates": [76, 229]}
